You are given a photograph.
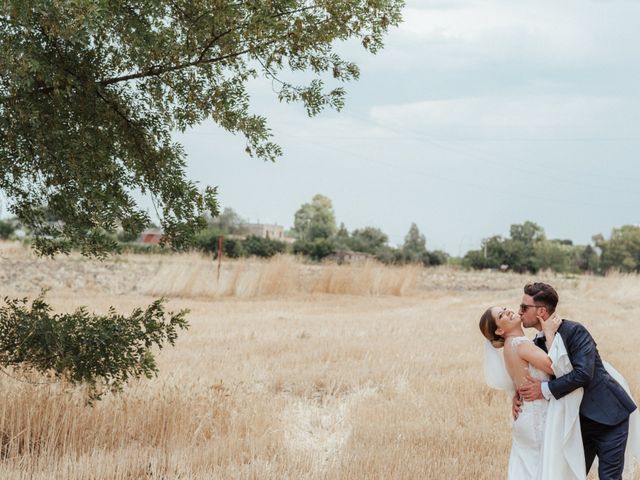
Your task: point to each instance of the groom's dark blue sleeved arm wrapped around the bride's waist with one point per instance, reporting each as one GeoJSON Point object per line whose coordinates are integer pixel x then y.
{"type": "Point", "coordinates": [582, 352]}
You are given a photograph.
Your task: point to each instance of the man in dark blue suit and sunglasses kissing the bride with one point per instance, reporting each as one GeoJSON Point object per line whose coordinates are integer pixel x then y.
{"type": "Point", "coordinates": [605, 407]}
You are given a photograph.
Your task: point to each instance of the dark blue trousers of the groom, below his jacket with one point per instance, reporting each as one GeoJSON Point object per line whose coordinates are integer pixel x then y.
{"type": "Point", "coordinates": [608, 442]}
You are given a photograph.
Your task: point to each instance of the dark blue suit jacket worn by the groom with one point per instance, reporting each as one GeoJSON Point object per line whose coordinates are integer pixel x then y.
{"type": "Point", "coordinates": [604, 400]}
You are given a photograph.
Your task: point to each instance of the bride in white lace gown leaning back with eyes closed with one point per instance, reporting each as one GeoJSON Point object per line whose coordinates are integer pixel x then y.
{"type": "Point", "coordinates": [546, 438]}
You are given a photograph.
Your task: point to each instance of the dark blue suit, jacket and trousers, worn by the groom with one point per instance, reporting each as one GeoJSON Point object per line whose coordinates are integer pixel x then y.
{"type": "Point", "coordinates": [605, 407]}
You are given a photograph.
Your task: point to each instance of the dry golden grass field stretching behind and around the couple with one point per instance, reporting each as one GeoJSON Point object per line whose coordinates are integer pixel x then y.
{"type": "Point", "coordinates": [290, 371]}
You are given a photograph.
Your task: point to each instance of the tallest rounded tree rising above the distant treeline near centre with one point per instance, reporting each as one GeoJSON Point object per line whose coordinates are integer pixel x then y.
{"type": "Point", "coordinates": [315, 220]}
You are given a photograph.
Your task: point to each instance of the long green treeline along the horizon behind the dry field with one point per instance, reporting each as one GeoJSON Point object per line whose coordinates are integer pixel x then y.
{"type": "Point", "coordinates": [316, 236]}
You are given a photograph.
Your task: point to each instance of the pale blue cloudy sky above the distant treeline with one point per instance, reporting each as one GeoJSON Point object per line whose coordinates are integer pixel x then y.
{"type": "Point", "coordinates": [476, 115]}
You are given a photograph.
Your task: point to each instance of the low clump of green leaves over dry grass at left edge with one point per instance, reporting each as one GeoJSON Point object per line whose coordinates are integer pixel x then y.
{"type": "Point", "coordinates": [102, 352]}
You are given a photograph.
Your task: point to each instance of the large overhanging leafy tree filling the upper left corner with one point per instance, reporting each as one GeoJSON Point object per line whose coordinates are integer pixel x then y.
{"type": "Point", "coordinates": [91, 91]}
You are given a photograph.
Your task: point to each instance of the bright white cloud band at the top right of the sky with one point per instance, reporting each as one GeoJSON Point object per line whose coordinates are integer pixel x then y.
{"type": "Point", "coordinates": [509, 36]}
